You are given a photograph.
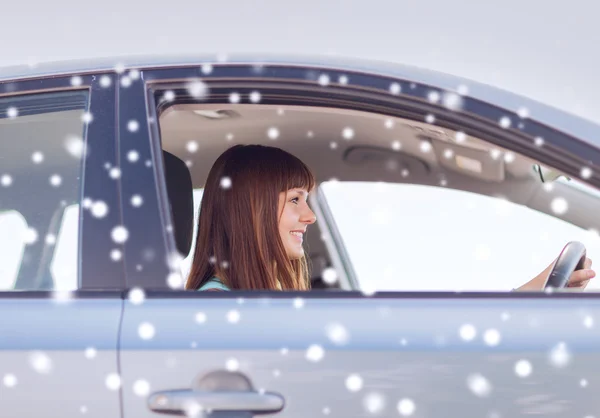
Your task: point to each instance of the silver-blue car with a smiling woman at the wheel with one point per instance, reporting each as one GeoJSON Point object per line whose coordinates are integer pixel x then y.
{"type": "Point", "coordinates": [437, 196]}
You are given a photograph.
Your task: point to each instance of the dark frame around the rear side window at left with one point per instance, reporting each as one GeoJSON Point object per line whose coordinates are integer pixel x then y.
{"type": "Point", "coordinates": [96, 270]}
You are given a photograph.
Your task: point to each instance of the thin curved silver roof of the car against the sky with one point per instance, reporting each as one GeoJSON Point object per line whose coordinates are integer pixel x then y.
{"type": "Point", "coordinates": [555, 118]}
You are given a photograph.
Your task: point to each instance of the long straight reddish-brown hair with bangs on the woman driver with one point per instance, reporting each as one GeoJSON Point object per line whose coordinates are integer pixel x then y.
{"type": "Point", "coordinates": [238, 237]}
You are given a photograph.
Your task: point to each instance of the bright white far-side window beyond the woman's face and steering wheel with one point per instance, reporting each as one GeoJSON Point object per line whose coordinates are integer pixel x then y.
{"type": "Point", "coordinates": [405, 237]}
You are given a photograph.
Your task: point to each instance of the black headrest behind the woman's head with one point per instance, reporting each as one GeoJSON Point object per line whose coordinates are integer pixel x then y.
{"type": "Point", "coordinates": [181, 200]}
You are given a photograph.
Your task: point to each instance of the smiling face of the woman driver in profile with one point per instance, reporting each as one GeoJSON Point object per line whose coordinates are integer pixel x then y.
{"type": "Point", "coordinates": [295, 218]}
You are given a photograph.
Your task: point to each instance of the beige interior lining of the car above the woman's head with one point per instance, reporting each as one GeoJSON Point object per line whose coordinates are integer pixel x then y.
{"type": "Point", "coordinates": [349, 145]}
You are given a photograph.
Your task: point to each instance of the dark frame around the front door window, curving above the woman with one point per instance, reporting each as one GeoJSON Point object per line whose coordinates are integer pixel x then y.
{"type": "Point", "coordinates": [367, 92]}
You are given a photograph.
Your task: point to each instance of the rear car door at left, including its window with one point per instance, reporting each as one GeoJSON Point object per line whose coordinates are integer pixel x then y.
{"type": "Point", "coordinates": [61, 272]}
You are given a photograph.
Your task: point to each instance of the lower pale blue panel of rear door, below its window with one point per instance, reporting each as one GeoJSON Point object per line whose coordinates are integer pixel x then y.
{"type": "Point", "coordinates": [56, 354]}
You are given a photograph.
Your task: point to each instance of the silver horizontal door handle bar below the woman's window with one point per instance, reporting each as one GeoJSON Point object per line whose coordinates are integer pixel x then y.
{"type": "Point", "coordinates": [191, 402]}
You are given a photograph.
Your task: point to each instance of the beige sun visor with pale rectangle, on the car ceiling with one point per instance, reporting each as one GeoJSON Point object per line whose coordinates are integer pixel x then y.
{"type": "Point", "coordinates": [469, 161]}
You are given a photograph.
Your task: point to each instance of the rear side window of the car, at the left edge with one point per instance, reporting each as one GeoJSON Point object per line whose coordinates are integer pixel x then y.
{"type": "Point", "coordinates": [42, 137]}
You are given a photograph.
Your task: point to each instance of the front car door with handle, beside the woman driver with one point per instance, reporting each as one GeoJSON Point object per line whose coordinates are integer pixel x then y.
{"type": "Point", "coordinates": [343, 353]}
